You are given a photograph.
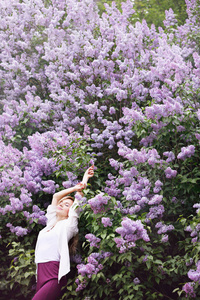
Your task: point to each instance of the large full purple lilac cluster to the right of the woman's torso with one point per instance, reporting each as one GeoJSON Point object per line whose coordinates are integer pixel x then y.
{"type": "Point", "coordinates": [130, 232]}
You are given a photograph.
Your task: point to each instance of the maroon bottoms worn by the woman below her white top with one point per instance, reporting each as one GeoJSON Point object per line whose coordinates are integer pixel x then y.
{"type": "Point", "coordinates": [48, 287]}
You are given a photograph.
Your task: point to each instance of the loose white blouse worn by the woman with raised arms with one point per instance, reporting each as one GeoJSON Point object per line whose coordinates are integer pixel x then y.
{"type": "Point", "coordinates": [52, 242]}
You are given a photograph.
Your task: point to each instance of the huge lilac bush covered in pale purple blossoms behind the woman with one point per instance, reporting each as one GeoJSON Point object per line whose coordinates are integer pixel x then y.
{"type": "Point", "coordinates": [78, 87]}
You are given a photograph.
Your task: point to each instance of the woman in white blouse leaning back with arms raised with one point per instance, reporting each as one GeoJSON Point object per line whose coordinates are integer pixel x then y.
{"type": "Point", "coordinates": [52, 250]}
